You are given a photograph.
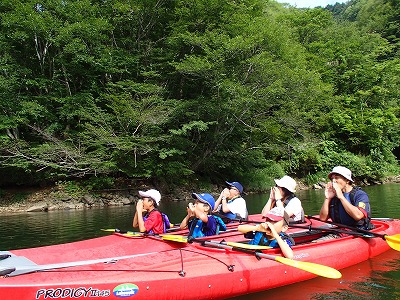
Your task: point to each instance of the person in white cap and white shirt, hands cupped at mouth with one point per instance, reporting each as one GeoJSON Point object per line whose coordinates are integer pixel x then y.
{"type": "Point", "coordinates": [282, 195]}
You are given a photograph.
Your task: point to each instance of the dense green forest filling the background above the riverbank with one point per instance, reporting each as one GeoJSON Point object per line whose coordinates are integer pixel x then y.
{"type": "Point", "coordinates": [180, 92]}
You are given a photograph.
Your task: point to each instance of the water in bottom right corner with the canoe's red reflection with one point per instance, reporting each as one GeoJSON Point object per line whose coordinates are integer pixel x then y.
{"type": "Point", "coordinates": [376, 278]}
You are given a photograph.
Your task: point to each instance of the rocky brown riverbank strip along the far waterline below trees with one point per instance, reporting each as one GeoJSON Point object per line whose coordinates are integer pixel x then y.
{"type": "Point", "coordinates": [53, 198]}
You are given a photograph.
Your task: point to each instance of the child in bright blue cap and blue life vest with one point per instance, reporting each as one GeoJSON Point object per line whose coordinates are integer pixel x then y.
{"type": "Point", "coordinates": [199, 219]}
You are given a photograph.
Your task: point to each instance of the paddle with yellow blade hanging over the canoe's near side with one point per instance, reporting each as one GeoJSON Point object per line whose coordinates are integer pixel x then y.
{"type": "Point", "coordinates": [314, 268]}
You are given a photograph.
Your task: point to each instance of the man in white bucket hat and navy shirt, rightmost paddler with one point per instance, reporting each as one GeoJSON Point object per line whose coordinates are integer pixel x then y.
{"type": "Point", "coordinates": [344, 203]}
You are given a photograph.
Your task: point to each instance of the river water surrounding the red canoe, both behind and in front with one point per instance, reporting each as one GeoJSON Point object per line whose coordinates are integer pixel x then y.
{"type": "Point", "coordinates": [377, 278]}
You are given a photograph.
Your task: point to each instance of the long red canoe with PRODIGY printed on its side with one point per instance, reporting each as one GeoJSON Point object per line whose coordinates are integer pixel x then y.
{"type": "Point", "coordinates": [137, 267]}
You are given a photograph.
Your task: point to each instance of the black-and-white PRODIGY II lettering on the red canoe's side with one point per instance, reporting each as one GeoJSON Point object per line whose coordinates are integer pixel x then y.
{"type": "Point", "coordinates": [72, 293]}
